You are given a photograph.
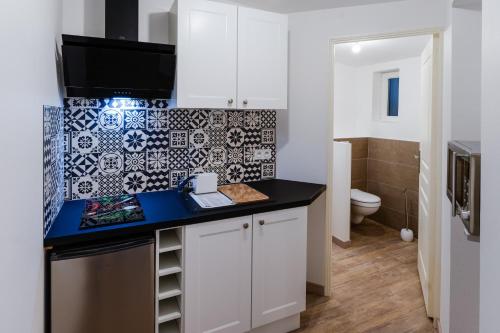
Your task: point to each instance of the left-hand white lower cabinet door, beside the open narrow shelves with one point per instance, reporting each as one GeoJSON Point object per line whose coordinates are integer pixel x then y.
{"type": "Point", "coordinates": [218, 276]}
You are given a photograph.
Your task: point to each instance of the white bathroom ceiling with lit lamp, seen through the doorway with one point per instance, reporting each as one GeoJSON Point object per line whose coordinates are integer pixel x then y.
{"type": "Point", "coordinates": [382, 50]}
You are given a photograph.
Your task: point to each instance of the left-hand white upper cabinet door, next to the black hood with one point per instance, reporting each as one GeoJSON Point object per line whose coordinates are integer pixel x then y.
{"type": "Point", "coordinates": [206, 54]}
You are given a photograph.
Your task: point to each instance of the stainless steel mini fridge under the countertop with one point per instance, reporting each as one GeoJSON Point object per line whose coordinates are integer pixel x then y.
{"type": "Point", "coordinates": [103, 288]}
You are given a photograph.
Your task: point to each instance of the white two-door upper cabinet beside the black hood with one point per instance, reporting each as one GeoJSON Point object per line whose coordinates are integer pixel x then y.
{"type": "Point", "coordinates": [230, 57]}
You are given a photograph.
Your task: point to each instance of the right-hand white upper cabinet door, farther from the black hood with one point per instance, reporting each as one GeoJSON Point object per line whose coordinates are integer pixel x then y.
{"type": "Point", "coordinates": [262, 59]}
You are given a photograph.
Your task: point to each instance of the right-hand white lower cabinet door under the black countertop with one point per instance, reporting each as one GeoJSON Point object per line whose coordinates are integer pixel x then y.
{"type": "Point", "coordinates": [279, 265]}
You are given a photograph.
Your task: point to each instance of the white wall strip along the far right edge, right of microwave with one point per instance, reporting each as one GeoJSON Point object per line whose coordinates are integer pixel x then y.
{"type": "Point", "coordinates": [490, 145]}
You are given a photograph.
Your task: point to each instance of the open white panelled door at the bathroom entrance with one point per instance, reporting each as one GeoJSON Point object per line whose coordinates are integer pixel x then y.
{"type": "Point", "coordinates": [427, 219]}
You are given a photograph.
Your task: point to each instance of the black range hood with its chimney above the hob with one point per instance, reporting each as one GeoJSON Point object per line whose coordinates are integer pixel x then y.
{"type": "Point", "coordinates": [118, 65]}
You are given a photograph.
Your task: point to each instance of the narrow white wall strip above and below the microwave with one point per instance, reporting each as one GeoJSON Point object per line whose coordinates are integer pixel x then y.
{"type": "Point", "coordinates": [465, 125]}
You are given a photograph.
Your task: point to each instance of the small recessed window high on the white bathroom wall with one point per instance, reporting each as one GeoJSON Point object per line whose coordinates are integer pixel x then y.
{"type": "Point", "coordinates": [386, 95]}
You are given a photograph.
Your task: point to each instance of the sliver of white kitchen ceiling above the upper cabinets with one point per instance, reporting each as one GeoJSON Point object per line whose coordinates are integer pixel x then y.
{"type": "Point", "coordinates": [291, 6]}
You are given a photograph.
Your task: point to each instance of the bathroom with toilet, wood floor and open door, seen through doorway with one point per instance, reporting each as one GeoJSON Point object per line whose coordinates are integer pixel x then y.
{"type": "Point", "coordinates": [382, 119]}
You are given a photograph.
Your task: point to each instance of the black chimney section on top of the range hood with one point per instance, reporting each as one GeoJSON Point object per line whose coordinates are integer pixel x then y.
{"type": "Point", "coordinates": [122, 19]}
